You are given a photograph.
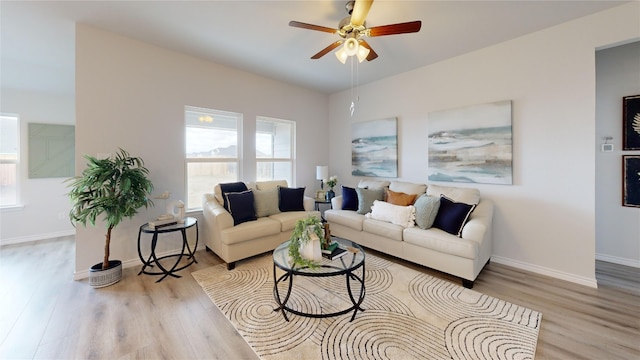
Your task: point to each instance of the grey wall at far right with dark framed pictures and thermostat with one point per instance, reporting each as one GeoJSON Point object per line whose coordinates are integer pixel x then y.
{"type": "Point", "coordinates": [617, 227]}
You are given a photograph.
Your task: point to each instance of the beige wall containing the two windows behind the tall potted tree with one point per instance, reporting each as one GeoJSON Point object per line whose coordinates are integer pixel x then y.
{"type": "Point", "coordinates": [132, 95]}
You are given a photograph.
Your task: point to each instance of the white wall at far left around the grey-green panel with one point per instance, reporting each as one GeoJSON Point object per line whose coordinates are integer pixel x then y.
{"type": "Point", "coordinates": [45, 207]}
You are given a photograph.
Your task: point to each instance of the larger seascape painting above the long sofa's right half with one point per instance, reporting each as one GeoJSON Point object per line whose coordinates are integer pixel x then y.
{"type": "Point", "coordinates": [471, 144]}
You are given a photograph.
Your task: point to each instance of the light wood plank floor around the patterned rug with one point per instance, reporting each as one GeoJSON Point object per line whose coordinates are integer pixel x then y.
{"type": "Point", "coordinates": [44, 314]}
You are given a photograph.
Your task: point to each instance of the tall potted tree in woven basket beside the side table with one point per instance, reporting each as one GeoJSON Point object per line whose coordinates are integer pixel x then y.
{"type": "Point", "coordinates": [115, 187]}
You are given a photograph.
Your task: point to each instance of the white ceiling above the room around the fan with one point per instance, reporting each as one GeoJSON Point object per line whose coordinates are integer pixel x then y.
{"type": "Point", "coordinates": [37, 38]}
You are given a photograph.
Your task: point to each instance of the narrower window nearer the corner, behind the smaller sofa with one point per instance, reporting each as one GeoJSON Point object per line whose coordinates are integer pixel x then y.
{"type": "Point", "coordinates": [275, 149]}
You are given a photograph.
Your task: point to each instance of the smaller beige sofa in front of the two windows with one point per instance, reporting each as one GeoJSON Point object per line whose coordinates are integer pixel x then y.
{"type": "Point", "coordinates": [236, 242]}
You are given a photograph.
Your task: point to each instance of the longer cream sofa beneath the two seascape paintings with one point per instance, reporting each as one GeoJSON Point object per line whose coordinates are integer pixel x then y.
{"type": "Point", "coordinates": [463, 256]}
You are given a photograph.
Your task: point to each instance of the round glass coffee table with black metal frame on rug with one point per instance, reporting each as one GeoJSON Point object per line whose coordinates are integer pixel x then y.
{"type": "Point", "coordinates": [347, 266]}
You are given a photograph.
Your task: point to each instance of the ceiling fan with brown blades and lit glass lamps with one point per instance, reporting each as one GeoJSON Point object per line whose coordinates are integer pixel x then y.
{"type": "Point", "coordinates": [353, 28]}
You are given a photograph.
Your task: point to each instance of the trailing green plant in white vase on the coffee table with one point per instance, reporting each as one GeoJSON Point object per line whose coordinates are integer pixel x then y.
{"type": "Point", "coordinates": [304, 243]}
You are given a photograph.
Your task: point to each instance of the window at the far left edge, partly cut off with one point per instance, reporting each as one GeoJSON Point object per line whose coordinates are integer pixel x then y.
{"type": "Point", "coordinates": [9, 159]}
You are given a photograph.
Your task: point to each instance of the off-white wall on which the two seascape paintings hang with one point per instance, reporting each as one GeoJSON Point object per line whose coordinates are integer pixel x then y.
{"type": "Point", "coordinates": [545, 222]}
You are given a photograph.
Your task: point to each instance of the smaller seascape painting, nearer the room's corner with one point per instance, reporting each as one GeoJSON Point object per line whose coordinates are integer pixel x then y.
{"type": "Point", "coordinates": [374, 148]}
